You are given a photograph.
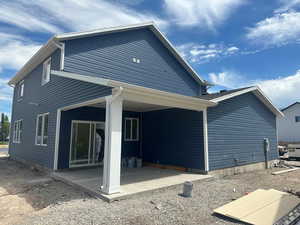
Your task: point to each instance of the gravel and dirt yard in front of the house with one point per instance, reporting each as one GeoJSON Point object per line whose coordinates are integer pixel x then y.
{"type": "Point", "coordinates": [30, 197]}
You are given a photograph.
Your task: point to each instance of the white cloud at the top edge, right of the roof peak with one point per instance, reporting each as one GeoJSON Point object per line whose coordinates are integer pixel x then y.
{"type": "Point", "coordinates": [204, 13]}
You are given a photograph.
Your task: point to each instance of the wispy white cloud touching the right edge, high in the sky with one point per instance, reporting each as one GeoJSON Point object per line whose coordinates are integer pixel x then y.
{"type": "Point", "coordinates": [277, 30]}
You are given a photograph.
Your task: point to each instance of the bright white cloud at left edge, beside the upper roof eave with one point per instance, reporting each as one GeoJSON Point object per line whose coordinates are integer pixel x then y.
{"type": "Point", "coordinates": [15, 51]}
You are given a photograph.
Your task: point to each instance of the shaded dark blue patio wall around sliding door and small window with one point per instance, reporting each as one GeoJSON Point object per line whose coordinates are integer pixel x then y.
{"type": "Point", "coordinates": [129, 148]}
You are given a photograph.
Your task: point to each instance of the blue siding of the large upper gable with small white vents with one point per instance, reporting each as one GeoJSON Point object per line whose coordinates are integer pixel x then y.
{"type": "Point", "coordinates": [110, 56]}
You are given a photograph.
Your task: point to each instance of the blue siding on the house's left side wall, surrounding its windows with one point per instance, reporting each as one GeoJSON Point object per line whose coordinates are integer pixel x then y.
{"type": "Point", "coordinates": [57, 93]}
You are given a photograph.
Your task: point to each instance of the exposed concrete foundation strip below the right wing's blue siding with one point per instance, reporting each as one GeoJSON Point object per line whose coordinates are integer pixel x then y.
{"type": "Point", "coordinates": [241, 169]}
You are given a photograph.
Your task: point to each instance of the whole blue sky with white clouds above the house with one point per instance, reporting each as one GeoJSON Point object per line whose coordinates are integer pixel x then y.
{"type": "Point", "coordinates": [231, 43]}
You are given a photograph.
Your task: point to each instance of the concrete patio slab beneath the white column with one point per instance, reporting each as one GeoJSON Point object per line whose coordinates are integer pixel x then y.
{"type": "Point", "coordinates": [133, 180]}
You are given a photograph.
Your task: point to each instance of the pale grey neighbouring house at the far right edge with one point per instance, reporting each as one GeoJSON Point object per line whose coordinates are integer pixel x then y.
{"type": "Point", "coordinates": [289, 125]}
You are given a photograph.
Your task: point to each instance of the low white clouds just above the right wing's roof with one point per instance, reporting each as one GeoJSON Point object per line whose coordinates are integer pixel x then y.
{"type": "Point", "coordinates": [281, 90]}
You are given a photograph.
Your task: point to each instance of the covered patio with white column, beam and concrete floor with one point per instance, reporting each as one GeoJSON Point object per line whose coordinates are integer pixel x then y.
{"type": "Point", "coordinates": [164, 138]}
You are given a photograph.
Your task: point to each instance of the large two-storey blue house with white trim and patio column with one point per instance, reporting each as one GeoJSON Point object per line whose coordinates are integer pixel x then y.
{"type": "Point", "coordinates": [131, 87]}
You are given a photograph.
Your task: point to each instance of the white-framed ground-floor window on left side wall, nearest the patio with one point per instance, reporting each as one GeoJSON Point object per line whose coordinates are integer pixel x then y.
{"type": "Point", "coordinates": [41, 137]}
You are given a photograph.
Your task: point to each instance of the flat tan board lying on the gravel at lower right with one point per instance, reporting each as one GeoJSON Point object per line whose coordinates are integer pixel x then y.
{"type": "Point", "coordinates": [261, 207]}
